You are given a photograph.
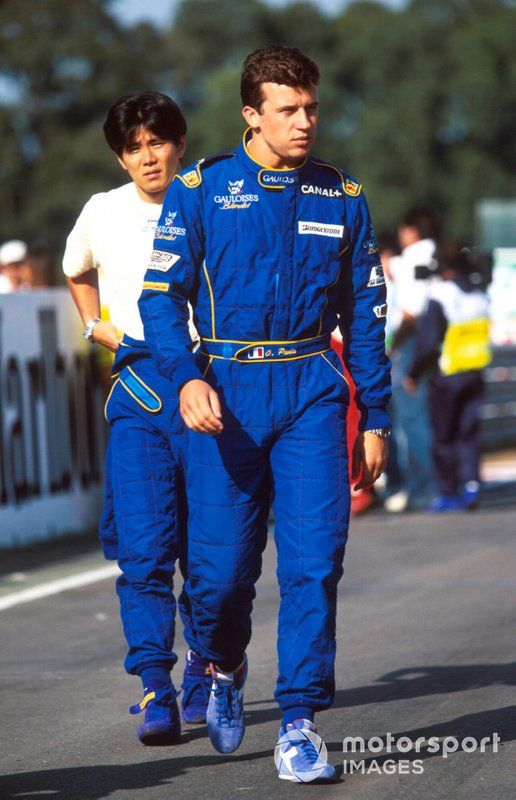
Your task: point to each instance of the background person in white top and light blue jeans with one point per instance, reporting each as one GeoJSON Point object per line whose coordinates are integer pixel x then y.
{"type": "Point", "coordinates": [417, 234]}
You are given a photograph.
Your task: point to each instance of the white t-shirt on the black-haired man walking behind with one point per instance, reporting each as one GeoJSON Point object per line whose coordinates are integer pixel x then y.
{"type": "Point", "coordinates": [114, 234]}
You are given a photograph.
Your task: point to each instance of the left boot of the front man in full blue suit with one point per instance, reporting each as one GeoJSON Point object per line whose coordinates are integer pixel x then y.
{"type": "Point", "coordinates": [225, 717]}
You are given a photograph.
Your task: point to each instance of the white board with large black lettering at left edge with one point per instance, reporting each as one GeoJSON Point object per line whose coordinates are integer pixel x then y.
{"type": "Point", "coordinates": [52, 431]}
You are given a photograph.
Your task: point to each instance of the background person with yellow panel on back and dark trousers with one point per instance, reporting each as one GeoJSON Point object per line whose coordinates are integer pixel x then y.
{"type": "Point", "coordinates": [453, 346]}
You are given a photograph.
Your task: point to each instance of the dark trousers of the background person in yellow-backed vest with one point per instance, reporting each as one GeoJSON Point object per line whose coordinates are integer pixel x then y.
{"type": "Point", "coordinates": [454, 413]}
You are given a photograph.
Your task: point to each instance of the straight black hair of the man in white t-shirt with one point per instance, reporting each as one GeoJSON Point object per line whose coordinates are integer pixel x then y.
{"type": "Point", "coordinates": [153, 110]}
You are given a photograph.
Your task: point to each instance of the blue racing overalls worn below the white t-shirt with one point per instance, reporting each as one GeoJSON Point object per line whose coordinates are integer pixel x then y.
{"type": "Point", "coordinates": [143, 525]}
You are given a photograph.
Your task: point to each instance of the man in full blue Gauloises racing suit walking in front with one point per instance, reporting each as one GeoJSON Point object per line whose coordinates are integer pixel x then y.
{"type": "Point", "coordinates": [273, 249]}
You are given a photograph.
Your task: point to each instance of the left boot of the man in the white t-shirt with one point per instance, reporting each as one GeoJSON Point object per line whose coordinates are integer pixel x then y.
{"type": "Point", "coordinates": [162, 725]}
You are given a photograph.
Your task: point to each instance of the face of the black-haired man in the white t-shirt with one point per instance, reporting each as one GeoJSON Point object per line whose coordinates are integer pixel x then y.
{"type": "Point", "coordinates": [152, 163]}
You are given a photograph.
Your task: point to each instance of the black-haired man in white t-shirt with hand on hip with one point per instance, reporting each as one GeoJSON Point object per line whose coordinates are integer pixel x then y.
{"type": "Point", "coordinates": [145, 509]}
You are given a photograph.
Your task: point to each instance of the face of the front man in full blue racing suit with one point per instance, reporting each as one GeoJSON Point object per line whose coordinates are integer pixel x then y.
{"type": "Point", "coordinates": [286, 122]}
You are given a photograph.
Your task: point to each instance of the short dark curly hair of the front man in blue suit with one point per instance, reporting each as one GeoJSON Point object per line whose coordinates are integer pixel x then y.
{"type": "Point", "coordinates": [276, 63]}
